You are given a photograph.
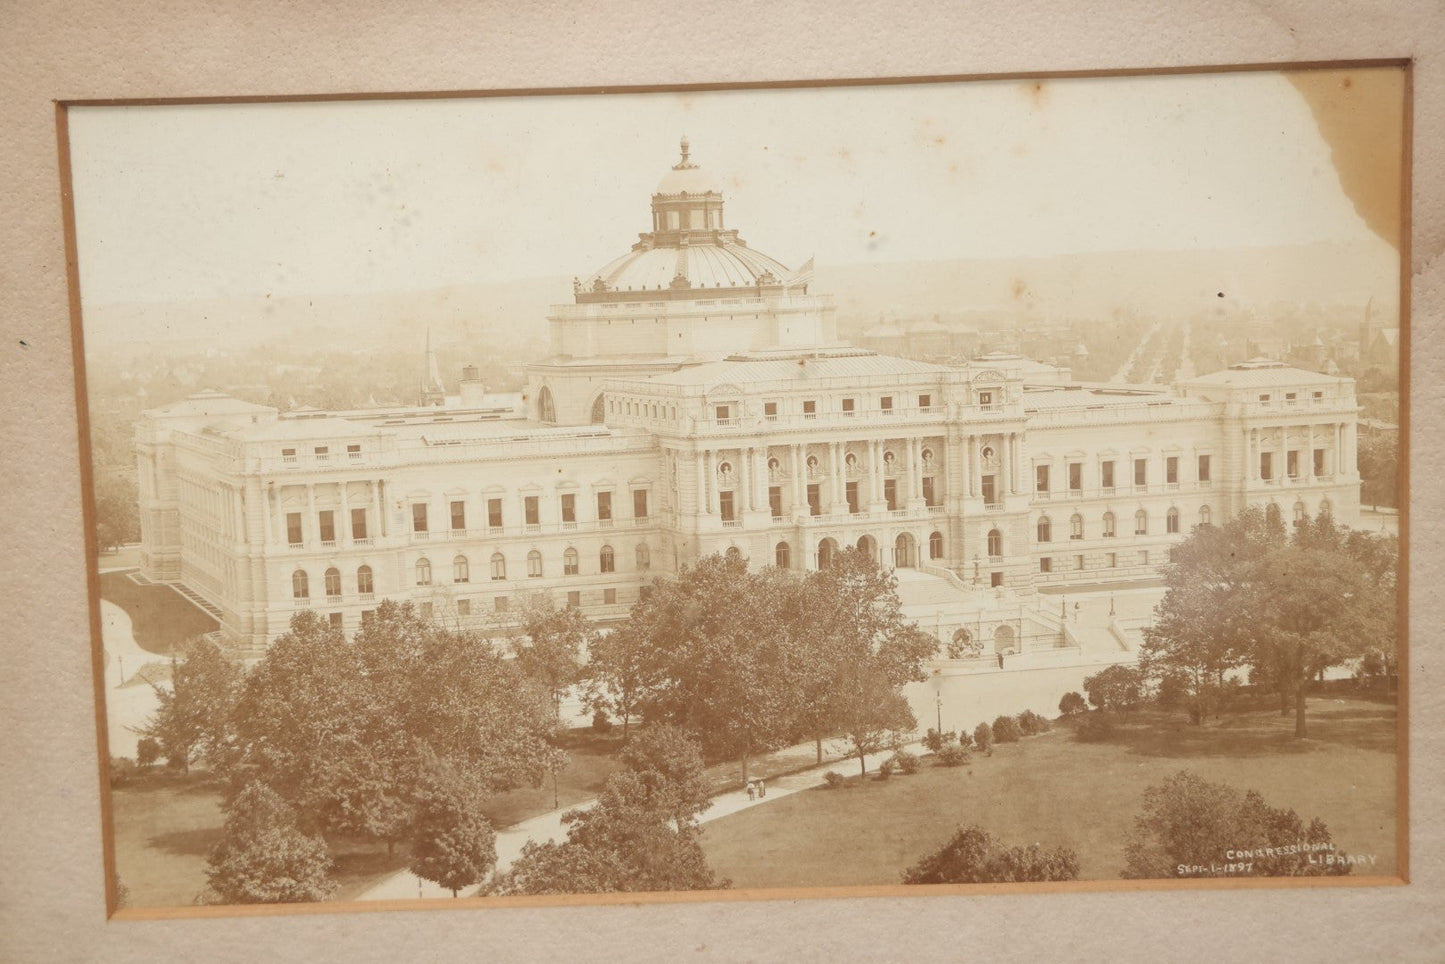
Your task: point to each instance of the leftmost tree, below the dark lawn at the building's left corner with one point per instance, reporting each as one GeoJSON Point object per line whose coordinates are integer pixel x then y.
{"type": "Point", "coordinates": [193, 718]}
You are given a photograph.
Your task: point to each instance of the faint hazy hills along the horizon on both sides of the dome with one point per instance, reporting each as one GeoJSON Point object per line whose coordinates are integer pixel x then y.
{"type": "Point", "coordinates": [509, 320]}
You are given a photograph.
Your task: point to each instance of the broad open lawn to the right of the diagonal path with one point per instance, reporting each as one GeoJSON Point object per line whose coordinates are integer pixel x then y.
{"type": "Point", "coordinates": [1053, 790]}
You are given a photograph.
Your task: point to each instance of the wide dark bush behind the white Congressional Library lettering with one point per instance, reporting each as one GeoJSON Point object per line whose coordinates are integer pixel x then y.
{"type": "Point", "coordinates": [1189, 826]}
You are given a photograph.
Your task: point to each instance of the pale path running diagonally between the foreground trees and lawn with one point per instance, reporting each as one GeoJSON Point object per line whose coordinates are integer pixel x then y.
{"type": "Point", "coordinates": [550, 826]}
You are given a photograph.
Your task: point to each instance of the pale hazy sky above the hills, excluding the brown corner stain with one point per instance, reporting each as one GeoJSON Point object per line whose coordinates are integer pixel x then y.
{"type": "Point", "coordinates": [204, 202]}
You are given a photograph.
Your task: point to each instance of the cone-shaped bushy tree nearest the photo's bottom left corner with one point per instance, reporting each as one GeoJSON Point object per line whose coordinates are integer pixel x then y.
{"type": "Point", "coordinates": [262, 858]}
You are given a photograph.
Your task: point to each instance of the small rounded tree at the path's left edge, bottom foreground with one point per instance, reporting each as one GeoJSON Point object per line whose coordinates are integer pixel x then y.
{"type": "Point", "coordinates": [454, 845]}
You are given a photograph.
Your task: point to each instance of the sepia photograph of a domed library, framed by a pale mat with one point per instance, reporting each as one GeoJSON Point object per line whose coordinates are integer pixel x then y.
{"type": "Point", "coordinates": [764, 491]}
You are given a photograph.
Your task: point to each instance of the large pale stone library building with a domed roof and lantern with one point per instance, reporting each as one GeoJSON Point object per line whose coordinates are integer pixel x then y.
{"type": "Point", "coordinates": [697, 401]}
